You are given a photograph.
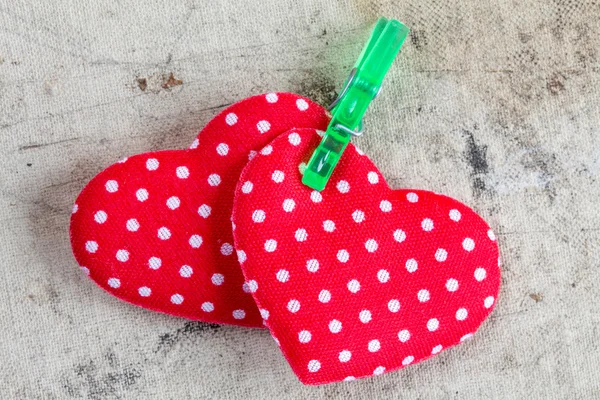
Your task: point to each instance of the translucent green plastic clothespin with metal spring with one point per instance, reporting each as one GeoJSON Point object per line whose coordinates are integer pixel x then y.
{"type": "Point", "coordinates": [362, 86]}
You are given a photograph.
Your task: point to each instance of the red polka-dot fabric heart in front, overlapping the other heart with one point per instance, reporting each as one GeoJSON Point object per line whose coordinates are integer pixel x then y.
{"type": "Point", "coordinates": [359, 279]}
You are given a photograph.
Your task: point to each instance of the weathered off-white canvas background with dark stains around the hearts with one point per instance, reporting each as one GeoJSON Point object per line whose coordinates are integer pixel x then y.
{"type": "Point", "coordinates": [492, 102]}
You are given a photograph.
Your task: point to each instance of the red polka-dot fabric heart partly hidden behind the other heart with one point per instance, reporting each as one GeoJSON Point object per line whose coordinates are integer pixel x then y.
{"type": "Point", "coordinates": [155, 229]}
